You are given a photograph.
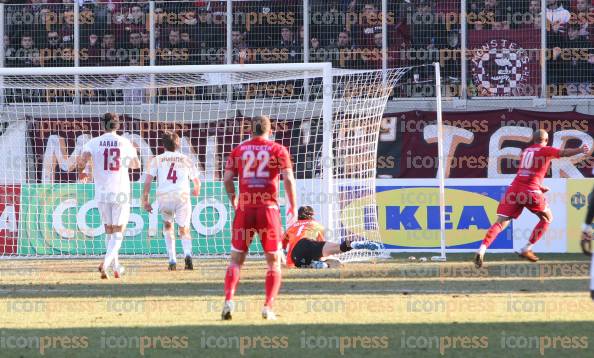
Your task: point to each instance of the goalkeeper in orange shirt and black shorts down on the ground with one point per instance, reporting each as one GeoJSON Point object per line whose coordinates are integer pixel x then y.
{"type": "Point", "coordinates": [305, 245]}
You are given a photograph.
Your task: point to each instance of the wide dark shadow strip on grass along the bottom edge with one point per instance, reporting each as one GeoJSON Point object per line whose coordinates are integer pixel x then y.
{"type": "Point", "coordinates": [529, 339]}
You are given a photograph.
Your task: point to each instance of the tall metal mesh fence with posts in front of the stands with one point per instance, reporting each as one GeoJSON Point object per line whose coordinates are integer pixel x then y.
{"type": "Point", "coordinates": [486, 48]}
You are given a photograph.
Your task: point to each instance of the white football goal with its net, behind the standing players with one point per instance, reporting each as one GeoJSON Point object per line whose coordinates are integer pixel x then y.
{"type": "Point", "coordinates": [329, 120]}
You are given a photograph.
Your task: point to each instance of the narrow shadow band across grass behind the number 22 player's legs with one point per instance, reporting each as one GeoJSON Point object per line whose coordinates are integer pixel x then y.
{"type": "Point", "coordinates": [295, 287]}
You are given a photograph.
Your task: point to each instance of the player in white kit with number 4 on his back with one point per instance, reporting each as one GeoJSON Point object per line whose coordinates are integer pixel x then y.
{"type": "Point", "coordinates": [174, 171]}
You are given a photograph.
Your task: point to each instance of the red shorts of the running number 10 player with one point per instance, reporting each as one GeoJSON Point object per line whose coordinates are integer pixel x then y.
{"type": "Point", "coordinates": [515, 200]}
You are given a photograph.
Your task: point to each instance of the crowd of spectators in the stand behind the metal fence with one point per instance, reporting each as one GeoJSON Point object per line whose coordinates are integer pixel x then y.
{"type": "Point", "coordinates": [346, 32]}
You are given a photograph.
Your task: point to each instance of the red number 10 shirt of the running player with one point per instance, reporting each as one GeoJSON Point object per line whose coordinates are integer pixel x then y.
{"type": "Point", "coordinates": [534, 163]}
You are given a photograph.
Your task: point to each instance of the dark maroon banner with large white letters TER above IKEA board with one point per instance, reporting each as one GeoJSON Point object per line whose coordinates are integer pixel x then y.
{"type": "Point", "coordinates": [484, 144]}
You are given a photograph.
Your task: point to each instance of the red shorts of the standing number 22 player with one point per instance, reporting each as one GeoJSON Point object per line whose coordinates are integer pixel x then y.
{"type": "Point", "coordinates": [264, 221]}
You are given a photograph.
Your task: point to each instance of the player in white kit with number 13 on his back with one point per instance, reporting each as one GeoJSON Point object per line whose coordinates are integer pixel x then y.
{"type": "Point", "coordinates": [112, 155]}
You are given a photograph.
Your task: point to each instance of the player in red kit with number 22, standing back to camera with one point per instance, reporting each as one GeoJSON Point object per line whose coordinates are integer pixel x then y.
{"type": "Point", "coordinates": [258, 162]}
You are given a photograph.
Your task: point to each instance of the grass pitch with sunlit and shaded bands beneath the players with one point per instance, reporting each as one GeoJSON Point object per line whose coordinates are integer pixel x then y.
{"type": "Point", "coordinates": [388, 308]}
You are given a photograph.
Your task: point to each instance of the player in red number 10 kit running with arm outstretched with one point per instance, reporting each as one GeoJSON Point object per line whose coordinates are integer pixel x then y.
{"type": "Point", "coordinates": [527, 191]}
